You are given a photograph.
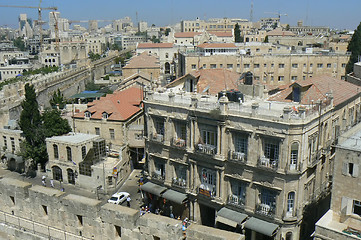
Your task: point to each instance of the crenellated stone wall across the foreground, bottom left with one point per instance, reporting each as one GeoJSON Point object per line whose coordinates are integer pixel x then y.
{"type": "Point", "coordinates": [36, 212]}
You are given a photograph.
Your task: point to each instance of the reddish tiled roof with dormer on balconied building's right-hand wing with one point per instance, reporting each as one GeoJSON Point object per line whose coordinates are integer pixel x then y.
{"type": "Point", "coordinates": [318, 87]}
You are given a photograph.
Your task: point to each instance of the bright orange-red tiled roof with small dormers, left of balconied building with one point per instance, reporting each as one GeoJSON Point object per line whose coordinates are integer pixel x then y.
{"type": "Point", "coordinates": [120, 105]}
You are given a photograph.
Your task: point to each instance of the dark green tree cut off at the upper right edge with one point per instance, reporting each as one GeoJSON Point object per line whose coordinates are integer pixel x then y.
{"type": "Point", "coordinates": [354, 47]}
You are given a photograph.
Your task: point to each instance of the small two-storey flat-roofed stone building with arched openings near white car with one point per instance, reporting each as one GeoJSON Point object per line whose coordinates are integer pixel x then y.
{"type": "Point", "coordinates": [82, 160]}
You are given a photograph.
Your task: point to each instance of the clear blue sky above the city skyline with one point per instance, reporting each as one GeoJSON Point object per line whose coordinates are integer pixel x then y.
{"type": "Point", "coordinates": [333, 13]}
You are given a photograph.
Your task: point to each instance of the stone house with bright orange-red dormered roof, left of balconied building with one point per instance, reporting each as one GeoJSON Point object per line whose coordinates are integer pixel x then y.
{"type": "Point", "coordinates": [117, 118]}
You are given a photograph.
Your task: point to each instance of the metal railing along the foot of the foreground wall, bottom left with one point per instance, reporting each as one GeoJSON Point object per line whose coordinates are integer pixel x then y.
{"type": "Point", "coordinates": [40, 229]}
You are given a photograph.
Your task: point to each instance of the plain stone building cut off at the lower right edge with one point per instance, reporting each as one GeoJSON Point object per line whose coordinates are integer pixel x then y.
{"type": "Point", "coordinates": [343, 220]}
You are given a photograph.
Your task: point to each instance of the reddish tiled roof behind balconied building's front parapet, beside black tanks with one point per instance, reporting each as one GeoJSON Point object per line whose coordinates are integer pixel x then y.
{"type": "Point", "coordinates": [215, 80]}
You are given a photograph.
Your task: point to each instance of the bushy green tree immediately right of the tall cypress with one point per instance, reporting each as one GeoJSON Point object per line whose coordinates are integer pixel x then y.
{"type": "Point", "coordinates": [53, 124]}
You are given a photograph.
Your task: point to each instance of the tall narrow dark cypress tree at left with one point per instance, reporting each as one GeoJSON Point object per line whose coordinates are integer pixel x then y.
{"type": "Point", "coordinates": [31, 124]}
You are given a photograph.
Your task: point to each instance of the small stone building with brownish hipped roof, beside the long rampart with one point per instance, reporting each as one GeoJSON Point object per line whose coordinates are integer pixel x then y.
{"type": "Point", "coordinates": [145, 63]}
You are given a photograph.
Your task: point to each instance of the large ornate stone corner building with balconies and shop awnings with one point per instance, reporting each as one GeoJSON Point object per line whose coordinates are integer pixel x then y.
{"type": "Point", "coordinates": [245, 163]}
